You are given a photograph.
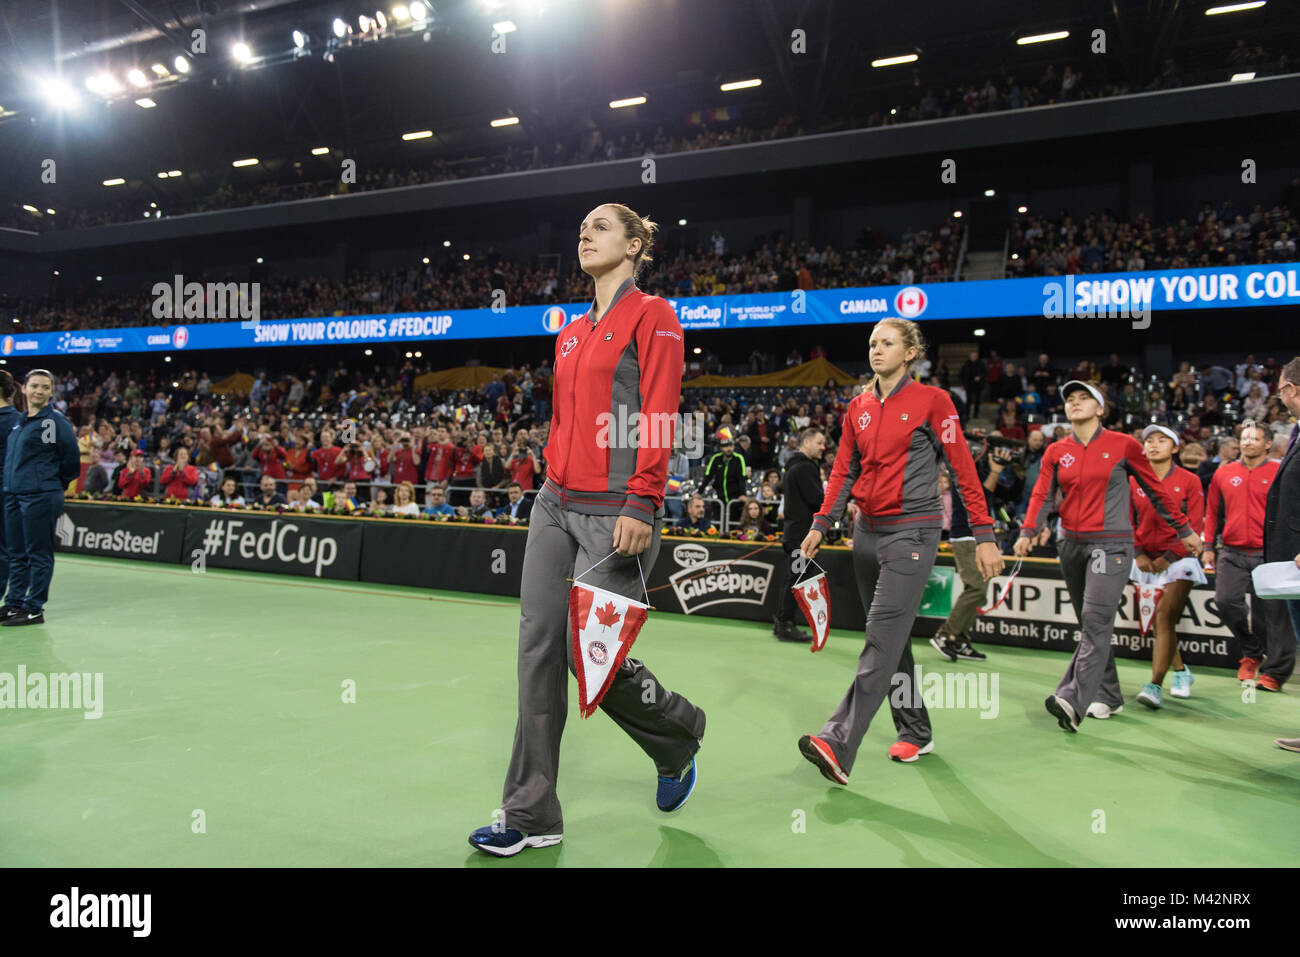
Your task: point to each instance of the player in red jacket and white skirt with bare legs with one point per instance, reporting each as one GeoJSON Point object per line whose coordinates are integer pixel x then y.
{"type": "Point", "coordinates": [1158, 552]}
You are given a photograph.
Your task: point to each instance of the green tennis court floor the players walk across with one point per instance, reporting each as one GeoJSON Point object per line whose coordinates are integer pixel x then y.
{"type": "Point", "coordinates": [224, 694]}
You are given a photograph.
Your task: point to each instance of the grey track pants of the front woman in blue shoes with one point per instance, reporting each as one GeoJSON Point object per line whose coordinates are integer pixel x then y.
{"type": "Point", "coordinates": [666, 726]}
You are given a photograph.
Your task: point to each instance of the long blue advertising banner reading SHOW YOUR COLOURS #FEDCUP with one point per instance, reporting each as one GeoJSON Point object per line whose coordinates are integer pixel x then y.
{"type": "Point", "coordinates": [1102, 296]}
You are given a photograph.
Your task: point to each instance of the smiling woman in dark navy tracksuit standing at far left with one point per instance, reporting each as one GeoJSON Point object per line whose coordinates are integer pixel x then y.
{"type": "Point", "coordinates": [41, 460]}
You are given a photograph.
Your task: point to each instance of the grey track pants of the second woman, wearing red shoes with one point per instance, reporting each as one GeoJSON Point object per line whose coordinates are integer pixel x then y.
{"type": "Point", "coordinates": [892, 570]}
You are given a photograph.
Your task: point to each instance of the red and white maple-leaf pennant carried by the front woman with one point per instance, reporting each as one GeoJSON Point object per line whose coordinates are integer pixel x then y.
{"type": "Point", "coordinates": [604, 626]}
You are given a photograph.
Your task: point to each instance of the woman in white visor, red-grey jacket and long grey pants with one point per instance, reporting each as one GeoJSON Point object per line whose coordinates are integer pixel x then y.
{"type": "Point", "coordinates": [1091, 467]}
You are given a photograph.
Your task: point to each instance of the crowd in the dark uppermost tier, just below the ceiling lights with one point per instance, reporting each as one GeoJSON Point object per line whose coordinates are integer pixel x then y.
{"type": "Point", "coordinates": [925, 101]}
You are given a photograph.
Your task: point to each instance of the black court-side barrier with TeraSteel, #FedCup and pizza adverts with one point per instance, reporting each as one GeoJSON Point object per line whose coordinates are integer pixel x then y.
{"type": "Point", "coordinates": [692, 577]}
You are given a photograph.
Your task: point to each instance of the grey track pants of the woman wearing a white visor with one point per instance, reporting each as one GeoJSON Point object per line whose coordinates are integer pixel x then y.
{"type": "Point", "coordinates": [1097, 575]}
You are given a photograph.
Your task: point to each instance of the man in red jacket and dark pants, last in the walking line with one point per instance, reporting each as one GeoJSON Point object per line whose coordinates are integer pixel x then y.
{"type": "Point", "coordinates": [1240, 492]}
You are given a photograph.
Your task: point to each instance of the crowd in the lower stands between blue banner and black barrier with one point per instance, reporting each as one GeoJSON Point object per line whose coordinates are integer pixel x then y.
{"type": "Point", "coordinates": [352, 441]}
